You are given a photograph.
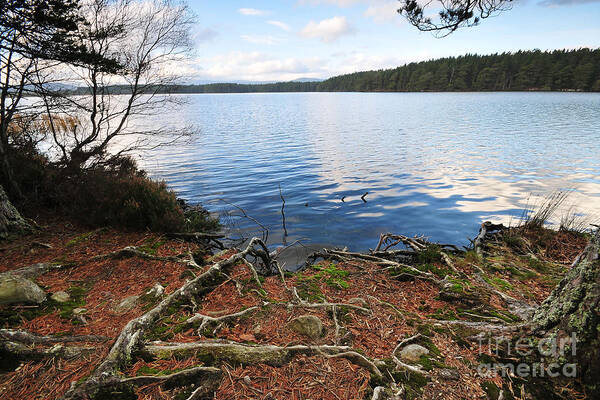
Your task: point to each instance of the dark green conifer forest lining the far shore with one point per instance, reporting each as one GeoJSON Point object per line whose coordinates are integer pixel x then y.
{"type": "Point", "coordinates": [558, 70]}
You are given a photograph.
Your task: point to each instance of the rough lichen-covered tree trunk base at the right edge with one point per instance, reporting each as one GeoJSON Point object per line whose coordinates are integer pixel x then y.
{"type": "Point", "coordinates": [571, 314]}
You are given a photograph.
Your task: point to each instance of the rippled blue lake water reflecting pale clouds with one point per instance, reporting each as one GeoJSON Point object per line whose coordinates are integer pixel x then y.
{"type": "Point", "coordinates": [436, 164]}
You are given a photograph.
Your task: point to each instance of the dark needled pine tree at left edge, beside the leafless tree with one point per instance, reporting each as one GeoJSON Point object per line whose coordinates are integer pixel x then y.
{"type": "Point", "coordinates": [30, 30]}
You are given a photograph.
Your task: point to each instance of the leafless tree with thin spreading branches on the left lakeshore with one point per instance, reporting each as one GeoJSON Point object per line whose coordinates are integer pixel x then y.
{"type": "Point", "coordinates": [148, 39]}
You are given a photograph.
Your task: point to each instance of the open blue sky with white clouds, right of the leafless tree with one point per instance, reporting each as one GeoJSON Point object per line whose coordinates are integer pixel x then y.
{"type": "Point", "coordinates": [280, 40]}
